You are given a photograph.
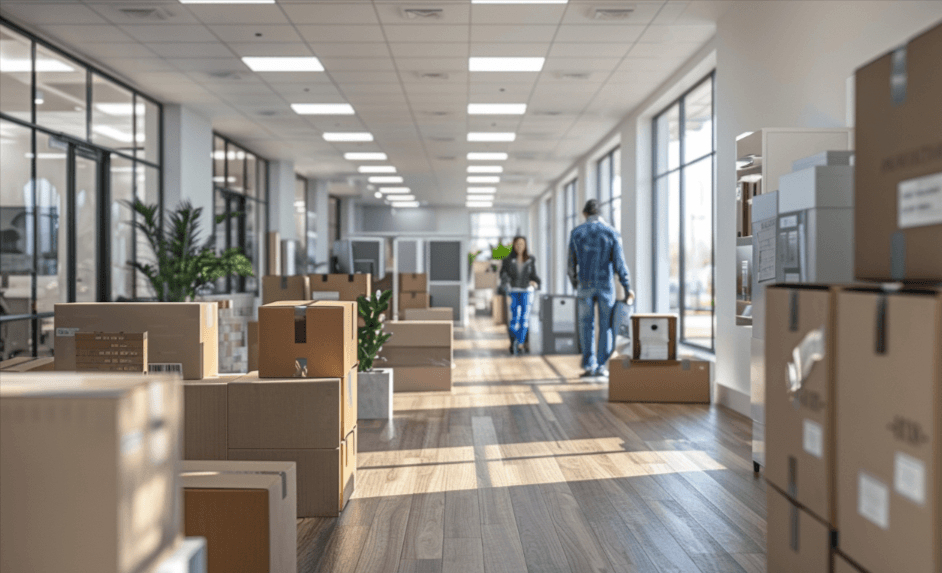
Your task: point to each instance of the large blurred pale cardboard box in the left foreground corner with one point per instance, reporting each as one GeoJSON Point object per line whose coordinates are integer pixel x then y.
{"type": "Point", "coordinates": [88, 467]}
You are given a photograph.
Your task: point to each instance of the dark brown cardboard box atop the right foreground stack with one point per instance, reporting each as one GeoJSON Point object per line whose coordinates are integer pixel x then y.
{"type": "Point", "coordinates": [898, 183]}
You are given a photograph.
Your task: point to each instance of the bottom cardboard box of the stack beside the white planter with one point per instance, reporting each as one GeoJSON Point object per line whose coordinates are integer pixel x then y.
{"type": "Point", "coordinates": [326, 477]}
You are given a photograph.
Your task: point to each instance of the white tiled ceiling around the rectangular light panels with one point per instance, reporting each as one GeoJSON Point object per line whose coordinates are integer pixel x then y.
{"type": "Point", "coordinates": [375, 57]}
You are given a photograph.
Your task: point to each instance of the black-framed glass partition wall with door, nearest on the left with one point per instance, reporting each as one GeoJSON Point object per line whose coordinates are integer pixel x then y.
{"type": "Point", "coordinates": [75, 147]}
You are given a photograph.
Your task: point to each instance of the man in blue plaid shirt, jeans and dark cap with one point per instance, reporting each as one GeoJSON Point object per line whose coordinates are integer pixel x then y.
{"type": "Point", "coordinates": [595, 257]}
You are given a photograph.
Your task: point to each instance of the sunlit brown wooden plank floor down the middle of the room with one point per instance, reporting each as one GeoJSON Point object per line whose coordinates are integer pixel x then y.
{"type": "Point", "coordinates": [524, 467]}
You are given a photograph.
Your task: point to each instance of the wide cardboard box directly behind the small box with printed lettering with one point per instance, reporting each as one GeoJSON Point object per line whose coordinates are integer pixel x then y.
{"type": "Point", "coordinates": [182, 337]}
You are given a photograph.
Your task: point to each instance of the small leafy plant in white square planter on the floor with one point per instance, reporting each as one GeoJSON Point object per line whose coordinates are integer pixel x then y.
{"type": "Point", "coordinates": [374, 385]}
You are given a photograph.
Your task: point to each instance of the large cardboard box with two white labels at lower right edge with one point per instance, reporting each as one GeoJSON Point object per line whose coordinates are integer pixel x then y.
{"type": "Point", "coordinates": [889, 428]}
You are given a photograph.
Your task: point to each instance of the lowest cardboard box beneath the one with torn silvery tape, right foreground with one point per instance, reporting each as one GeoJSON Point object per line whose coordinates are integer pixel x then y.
{"type": "Point", "coordinates": [797, 542]}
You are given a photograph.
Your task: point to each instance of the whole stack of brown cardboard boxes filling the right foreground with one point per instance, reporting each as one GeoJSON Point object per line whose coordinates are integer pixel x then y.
{"type": "Point", "coordinates": [854, 372]}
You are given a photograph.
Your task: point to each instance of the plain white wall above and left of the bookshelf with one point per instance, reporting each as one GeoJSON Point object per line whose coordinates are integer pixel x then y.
{"type": "Point", "coordinates": [786, 64]}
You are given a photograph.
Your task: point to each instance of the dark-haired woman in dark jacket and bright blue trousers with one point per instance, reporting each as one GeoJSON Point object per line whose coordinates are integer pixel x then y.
{"type": "Point", "coordinates": [518, 275]}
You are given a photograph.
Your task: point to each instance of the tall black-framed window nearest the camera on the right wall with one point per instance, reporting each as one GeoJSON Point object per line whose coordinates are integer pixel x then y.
{"type": "Point", "coordinates": [684, 166]}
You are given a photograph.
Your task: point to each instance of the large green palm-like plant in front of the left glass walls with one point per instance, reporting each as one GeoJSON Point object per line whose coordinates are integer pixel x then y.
{"type": "Point", "coordinates": [181, 263]}
